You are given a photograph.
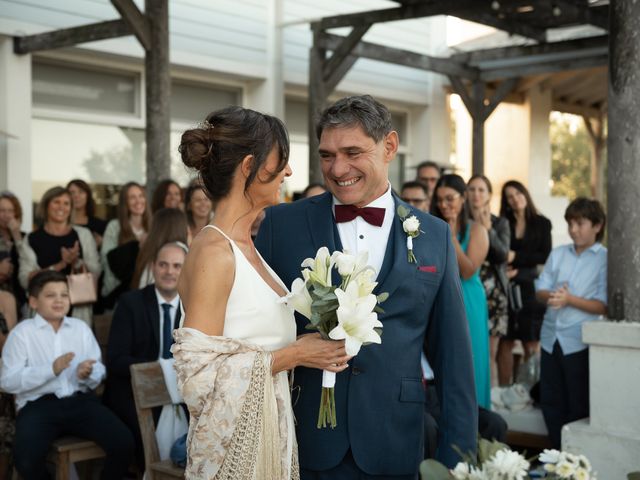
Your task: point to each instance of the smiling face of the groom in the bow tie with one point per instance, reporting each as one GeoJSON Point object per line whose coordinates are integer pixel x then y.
{"type": "Point", "coordinates": [355, 167]}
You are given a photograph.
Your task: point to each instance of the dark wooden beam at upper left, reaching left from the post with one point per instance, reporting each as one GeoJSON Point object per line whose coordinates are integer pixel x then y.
{"type": "Point", "coordinates": [69, 37]}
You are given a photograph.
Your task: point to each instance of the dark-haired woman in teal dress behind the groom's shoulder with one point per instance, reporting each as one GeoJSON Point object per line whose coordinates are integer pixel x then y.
{"type": "Point", "coordinates": [471, 242]}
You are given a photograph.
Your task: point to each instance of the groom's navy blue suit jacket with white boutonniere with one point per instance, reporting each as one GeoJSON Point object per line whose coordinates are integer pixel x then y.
{"type": "Point", "coordinates": [380, 397]}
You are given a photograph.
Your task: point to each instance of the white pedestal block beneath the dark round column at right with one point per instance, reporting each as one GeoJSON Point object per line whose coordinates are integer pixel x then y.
{"type": "Point", "coordinates": [610, 438]}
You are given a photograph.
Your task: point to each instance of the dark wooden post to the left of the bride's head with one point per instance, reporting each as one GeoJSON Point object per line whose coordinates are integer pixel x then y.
{"type": "Point", "coordinates": [158, 90]}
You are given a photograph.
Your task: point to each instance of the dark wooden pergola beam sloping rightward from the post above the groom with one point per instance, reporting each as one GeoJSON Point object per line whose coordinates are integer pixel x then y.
{"type": "Point", "coordinates": [382, 53]}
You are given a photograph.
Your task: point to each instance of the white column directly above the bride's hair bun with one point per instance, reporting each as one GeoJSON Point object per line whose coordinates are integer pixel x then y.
{"type": "Point", "coordinates": [268, 95]}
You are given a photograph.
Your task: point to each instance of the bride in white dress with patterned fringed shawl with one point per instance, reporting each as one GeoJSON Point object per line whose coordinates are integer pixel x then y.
{"type": "Point", "coordinates": [239, 339]}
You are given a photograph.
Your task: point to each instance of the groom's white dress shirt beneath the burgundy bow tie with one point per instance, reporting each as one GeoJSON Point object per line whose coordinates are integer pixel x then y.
{"type": "Point", "coordinates": [358, 235]}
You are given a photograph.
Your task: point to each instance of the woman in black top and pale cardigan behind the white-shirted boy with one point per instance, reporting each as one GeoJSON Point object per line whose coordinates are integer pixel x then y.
{"type": "Point", "coordinates": [58, 245]}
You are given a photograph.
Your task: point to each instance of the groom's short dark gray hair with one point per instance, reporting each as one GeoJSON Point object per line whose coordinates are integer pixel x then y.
{"type": "Point", "coordinates": [358, 111]}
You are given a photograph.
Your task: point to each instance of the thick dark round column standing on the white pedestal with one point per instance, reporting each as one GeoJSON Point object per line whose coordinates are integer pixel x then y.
{"type": "Point", "coordinates": [623, 173]}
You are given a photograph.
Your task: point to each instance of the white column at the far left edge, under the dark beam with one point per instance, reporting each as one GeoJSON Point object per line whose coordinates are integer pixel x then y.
{"type": "Point", "coordinates": [15, 126]}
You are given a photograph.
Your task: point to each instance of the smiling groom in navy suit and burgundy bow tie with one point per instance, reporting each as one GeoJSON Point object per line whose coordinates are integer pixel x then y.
{"type": "Point", "coordinates": [380, 397]}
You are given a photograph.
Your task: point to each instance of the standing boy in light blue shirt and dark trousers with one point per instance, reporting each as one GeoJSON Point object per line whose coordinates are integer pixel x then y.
{"type": "Point", "coordinates": [573, 285]}
